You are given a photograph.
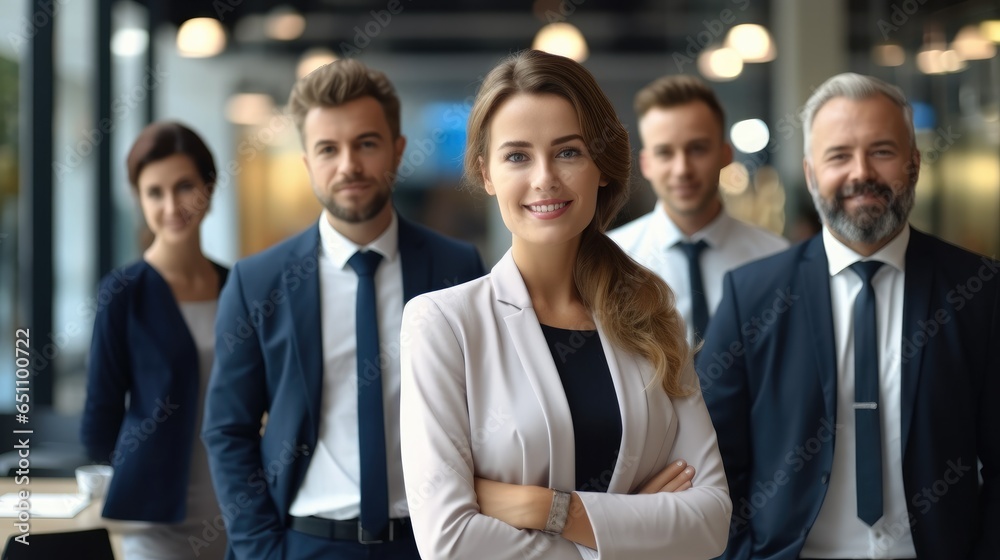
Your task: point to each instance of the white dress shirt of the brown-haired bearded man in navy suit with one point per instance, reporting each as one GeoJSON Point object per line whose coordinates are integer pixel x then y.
{"type": "Point", "coordinates": [332, 484]}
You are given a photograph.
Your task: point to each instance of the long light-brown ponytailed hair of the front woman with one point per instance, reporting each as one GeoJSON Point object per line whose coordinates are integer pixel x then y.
{"type": "Point", "coordinates": [634, 306]}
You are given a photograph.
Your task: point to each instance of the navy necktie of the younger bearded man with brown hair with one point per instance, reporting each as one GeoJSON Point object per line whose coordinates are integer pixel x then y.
{"type": "Point", "coordinates": [371, 419]}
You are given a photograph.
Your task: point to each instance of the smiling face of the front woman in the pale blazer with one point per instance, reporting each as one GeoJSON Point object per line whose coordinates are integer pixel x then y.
{"type": "Point", "coordinates": [538, 167]}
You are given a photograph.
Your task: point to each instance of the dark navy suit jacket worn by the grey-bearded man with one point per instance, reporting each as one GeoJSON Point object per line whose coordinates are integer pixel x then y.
{"type": "Point", "coordinates": [768, 371]}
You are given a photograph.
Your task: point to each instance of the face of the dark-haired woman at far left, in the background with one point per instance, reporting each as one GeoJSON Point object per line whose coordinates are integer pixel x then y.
{"type": "Point", "coordinates": [174, 198]}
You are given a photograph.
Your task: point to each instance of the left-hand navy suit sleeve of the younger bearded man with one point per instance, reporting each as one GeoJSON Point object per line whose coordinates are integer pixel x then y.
{"type": "Point", "coordinates": [234, 404]}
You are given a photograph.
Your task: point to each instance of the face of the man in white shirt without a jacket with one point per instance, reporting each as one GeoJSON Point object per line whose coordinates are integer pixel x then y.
{"type": "Point", "coordinates": [682, 153]}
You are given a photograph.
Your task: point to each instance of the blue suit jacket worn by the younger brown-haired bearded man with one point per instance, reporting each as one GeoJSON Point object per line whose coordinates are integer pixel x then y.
{"type": "Point", "coordinates": [269, 358]}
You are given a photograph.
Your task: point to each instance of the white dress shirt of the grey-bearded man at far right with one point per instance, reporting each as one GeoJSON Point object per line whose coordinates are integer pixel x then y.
{"type": "Point", "coordinates": [838, 532]}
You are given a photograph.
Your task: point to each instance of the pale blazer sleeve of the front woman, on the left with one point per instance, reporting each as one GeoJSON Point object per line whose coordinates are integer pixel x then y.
{"type": "Point", "coordinates": [437, 445]}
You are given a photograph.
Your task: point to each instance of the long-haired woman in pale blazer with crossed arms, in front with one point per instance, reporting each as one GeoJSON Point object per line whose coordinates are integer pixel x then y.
{"type": "Point", "coordinates": [549, 407]}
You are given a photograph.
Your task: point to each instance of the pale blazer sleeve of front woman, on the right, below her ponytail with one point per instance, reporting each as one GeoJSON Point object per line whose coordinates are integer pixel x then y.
{"type": "Point", "coordinates": [689, 524]}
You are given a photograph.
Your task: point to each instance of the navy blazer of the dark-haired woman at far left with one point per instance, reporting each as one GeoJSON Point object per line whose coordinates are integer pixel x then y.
{"type": "Point", "coordinates": [142, 350]}
